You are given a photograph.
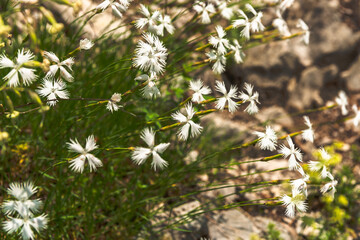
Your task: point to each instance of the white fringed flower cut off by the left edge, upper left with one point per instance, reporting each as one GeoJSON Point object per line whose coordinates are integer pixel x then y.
{"type": "Point", "coordinates": [27, 74]}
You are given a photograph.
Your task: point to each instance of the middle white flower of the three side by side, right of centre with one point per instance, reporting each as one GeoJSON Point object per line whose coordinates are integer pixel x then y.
{"type": "Point", "coordinates": [227, 98]}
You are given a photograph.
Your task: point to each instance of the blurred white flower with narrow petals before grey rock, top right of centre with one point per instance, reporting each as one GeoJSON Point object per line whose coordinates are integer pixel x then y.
{"type": "Point", "coordinates": [254, 25]}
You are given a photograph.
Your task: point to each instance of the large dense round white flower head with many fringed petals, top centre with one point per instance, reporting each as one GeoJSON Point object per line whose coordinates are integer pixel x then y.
{"type": "Point", "coordinates": [150, 55]}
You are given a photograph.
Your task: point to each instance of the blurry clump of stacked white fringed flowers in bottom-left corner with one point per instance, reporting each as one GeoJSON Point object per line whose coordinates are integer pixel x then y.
{"type": "Point", "coordinates": [21, 211]}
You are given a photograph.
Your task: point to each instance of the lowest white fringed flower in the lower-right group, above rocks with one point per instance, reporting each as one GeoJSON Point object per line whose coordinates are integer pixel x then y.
{"type": "Point", "coordinates": [296, 202]}
